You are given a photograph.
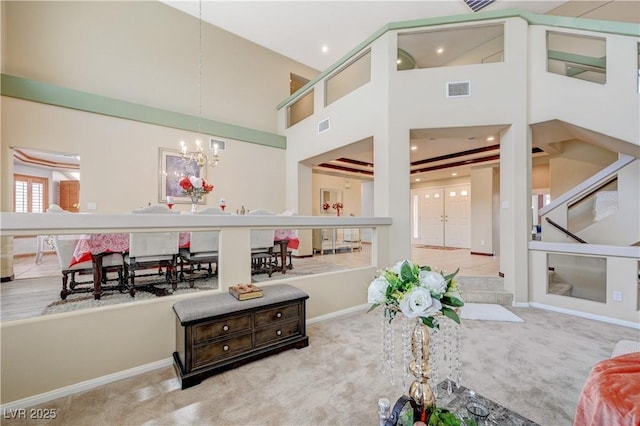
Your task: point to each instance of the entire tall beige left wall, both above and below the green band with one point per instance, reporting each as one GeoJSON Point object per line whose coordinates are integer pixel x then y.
{"type": "Point", "coordinates": [123, 50]}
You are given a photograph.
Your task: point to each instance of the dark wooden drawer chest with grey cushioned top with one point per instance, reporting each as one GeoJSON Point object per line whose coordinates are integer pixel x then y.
{"type": "Point", "coordinates": [218, 332]}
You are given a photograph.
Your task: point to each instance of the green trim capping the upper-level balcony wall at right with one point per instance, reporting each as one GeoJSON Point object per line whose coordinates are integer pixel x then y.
{"type": "Point", "coordinates": [608, 27]}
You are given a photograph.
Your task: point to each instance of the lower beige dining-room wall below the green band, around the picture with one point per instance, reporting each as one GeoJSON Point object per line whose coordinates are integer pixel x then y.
{"type": "Point", "coordinates": [119, 165]}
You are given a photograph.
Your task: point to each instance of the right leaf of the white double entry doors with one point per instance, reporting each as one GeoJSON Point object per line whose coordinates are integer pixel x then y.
{"type": "Point", "coordinates": [457, 218]}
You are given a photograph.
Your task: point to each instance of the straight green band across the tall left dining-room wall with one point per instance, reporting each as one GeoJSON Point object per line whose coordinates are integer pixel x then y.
{"type": "Point", "coordinates": [45, 93]}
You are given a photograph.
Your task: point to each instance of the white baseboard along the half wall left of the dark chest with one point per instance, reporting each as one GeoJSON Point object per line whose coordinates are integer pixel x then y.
{"type": "Point", "coordinates": [84, 386]}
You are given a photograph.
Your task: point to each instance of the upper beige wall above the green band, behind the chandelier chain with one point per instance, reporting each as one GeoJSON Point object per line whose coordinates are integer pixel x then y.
{"type": "Point", "coordinates": [148, 53]}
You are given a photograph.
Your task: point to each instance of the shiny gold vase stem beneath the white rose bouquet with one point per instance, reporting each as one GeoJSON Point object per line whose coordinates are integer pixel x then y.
{"type": "Point", "coordinates": [420, 391]}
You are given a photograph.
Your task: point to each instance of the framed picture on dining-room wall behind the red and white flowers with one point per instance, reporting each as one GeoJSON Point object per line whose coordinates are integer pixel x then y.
{"type": "Point", "coordinates": [171, 168]}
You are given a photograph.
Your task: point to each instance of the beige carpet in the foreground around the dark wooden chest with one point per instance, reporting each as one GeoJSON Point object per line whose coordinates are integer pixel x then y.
{"type": "Point", "coordinates": [536, 368]}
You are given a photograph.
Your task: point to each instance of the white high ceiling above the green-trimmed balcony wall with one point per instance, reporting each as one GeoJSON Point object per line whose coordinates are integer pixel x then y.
{"type": "Point", "coordinates": [299, 29]}
